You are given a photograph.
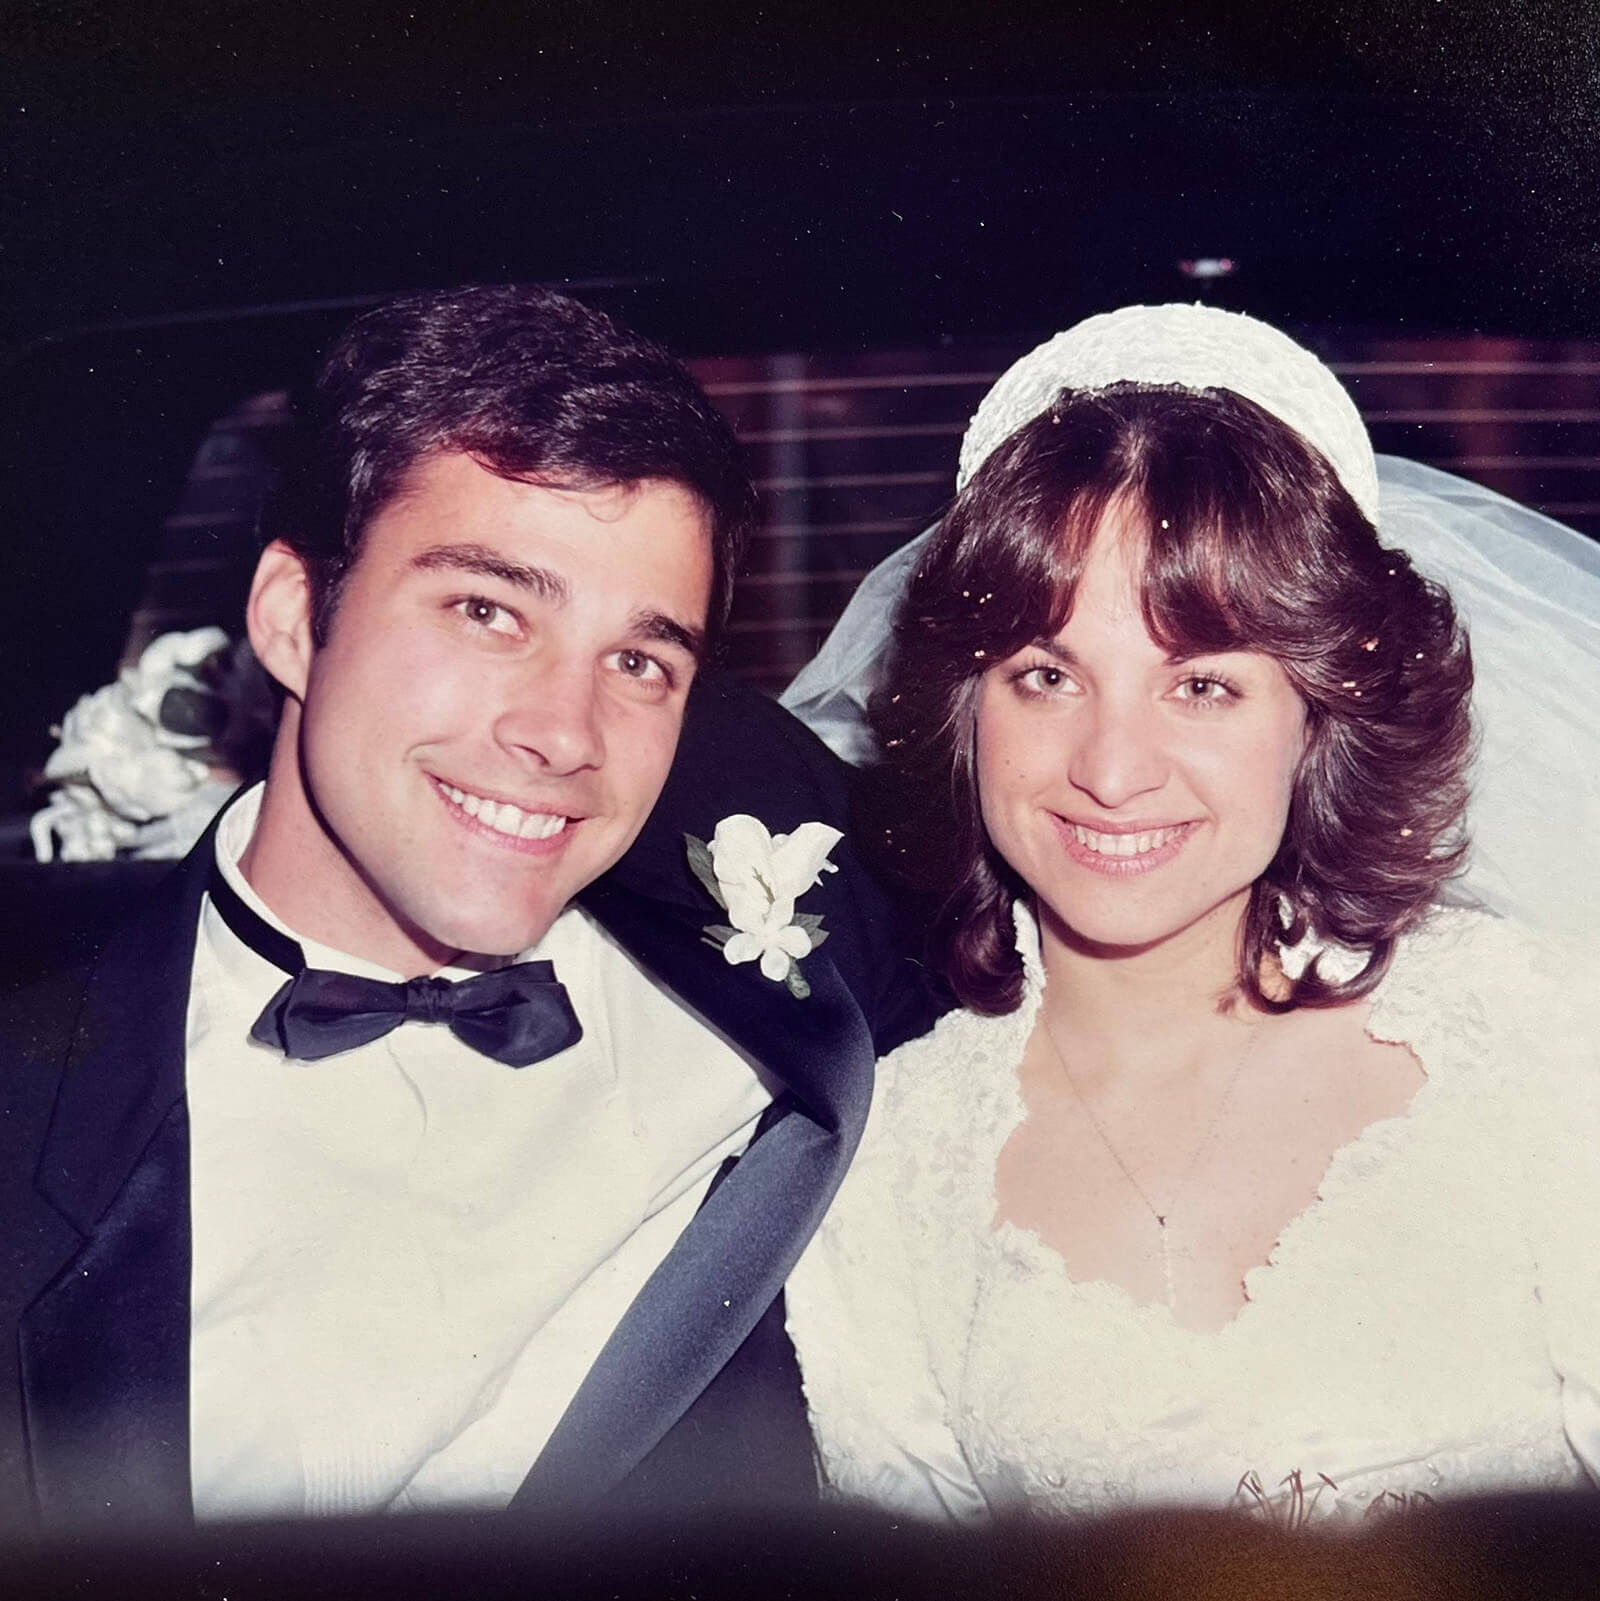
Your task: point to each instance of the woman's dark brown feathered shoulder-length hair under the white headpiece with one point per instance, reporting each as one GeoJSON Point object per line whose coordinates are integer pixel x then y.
{"type": "Point", "coordinates": [1253, 544]}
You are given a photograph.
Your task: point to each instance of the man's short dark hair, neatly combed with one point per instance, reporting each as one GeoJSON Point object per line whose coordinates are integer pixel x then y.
{"type": "Point", "coordinates": [536, 387]}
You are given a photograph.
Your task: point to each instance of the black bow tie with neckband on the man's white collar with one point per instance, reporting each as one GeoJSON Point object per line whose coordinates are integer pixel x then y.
{"type": "Point", "coordinates": [517, 1014]}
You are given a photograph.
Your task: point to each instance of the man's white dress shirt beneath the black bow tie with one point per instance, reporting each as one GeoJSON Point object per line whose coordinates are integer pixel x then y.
{"type": "Point", "coordinates": [408, 1256]}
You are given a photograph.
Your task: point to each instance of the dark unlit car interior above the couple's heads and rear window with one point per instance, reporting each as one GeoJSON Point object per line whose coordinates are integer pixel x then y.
{"type": "Point", "coordinates": [198, 196]}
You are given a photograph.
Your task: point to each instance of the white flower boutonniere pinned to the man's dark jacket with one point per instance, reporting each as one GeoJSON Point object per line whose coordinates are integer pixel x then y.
{"type": "Point", "coordinates": [757, 878]}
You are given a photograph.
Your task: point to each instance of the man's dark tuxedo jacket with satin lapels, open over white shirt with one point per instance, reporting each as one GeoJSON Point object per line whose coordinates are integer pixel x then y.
{"type": "Point", "coordinates": [694, 1400]}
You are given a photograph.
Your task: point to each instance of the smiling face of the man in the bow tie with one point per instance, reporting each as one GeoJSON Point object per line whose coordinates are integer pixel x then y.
{"type": "Point", "coordinates": [496, 707]}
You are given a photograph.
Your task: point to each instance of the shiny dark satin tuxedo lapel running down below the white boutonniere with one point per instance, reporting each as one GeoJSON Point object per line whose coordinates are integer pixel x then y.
{"type": "Point", "coordinates": [733, 1261]}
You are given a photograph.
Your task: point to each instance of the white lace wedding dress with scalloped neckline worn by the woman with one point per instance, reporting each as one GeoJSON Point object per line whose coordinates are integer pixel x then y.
{"type": "Point", "coordinates": [1431, 1325]}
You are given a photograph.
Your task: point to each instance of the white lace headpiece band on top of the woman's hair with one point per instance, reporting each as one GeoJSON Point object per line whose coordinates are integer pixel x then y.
{"type": "Point", "coordinates": [1191, 348]}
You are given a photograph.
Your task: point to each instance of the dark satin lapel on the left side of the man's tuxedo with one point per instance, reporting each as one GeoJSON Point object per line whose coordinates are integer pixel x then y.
{"type": "Point", "coordinates": [105, 1349]}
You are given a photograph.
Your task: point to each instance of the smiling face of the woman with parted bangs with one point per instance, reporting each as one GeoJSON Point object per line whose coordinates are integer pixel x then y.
{"type": "Point", "coordinates": [1140, 796]}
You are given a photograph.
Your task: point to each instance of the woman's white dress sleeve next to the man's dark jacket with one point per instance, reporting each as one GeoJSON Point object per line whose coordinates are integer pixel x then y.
{"type": "Point", "coordinates": [878, 1410]}
